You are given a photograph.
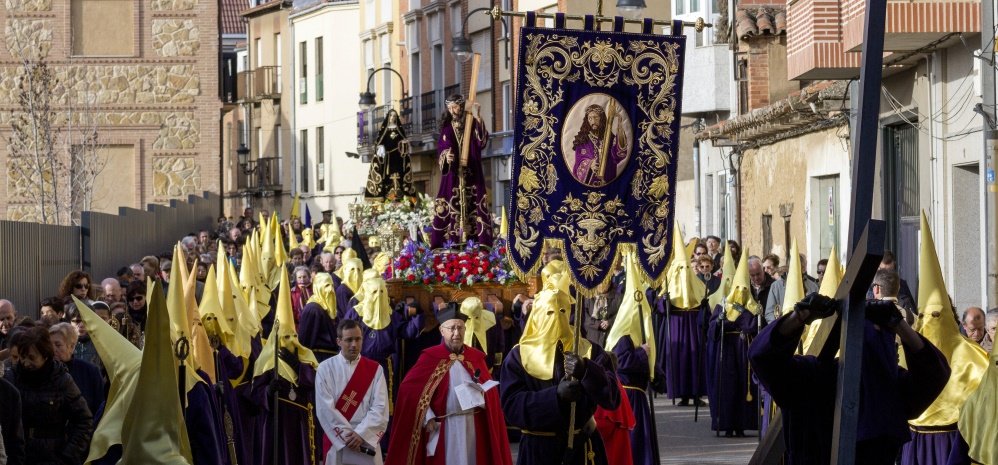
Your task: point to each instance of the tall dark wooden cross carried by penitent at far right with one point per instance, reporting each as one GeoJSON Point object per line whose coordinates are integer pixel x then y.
{"type": "Point", "coordinates": [866, 248]}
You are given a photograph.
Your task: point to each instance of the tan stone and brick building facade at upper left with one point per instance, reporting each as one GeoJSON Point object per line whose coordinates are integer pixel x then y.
{"type": "Point", "coordinates": [149, 77]}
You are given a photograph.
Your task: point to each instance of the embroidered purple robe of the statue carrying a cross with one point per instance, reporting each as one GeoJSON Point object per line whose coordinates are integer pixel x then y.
{"type": "Point", "coordinates": [446, 226]}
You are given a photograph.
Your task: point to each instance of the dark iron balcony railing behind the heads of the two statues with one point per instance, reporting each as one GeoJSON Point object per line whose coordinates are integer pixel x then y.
{"type": "Point", "coordinates": [418, 114]}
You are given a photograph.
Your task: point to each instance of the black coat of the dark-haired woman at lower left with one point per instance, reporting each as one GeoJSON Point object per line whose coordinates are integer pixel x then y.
{"type": "Point", "coordinates": [59, 427]}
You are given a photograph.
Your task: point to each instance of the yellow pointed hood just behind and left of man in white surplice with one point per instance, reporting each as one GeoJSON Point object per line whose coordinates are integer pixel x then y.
{"type": "Point", "coordinates": [283, 335]}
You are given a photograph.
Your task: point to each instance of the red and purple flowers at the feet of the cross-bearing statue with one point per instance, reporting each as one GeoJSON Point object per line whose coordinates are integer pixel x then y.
{"type": "Point", "coordinates": [417, 264]}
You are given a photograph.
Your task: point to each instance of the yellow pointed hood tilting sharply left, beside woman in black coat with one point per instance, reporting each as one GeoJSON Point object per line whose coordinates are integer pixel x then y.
{"type": "Point", "coordinates": [121, 359]}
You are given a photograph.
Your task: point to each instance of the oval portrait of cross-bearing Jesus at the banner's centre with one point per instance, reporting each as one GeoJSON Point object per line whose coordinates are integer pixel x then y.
{"type": "Point", "coordinates": [596, 139]}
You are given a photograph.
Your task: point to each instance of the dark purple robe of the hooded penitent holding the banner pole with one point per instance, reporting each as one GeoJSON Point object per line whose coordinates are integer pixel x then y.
{"type": "Point", "coordinates": [533, 406]}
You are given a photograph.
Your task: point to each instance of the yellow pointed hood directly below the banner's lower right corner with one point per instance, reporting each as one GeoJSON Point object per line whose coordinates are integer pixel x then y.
{"type": "Point", "coordinates": [634, 315]}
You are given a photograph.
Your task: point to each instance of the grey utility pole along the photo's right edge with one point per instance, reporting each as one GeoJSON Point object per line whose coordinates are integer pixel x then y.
{"type": "Point", "coordinates": [990, 147]}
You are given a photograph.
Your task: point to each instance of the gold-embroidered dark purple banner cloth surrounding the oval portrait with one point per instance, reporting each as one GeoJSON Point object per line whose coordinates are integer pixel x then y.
{"type": "Point", "coordinates": [650, 69]}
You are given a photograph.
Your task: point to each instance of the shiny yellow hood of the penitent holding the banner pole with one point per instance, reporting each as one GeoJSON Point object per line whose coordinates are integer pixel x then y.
{"type": "Point", "coordinates": [547, 326]}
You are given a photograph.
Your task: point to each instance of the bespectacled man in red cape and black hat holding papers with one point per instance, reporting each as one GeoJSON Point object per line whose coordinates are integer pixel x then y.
{"type": "Point", "coordinates": [432, 426]}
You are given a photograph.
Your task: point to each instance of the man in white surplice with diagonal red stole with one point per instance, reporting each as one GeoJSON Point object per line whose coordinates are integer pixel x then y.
{"type": "Point", "coordinates": [352, 400]}
